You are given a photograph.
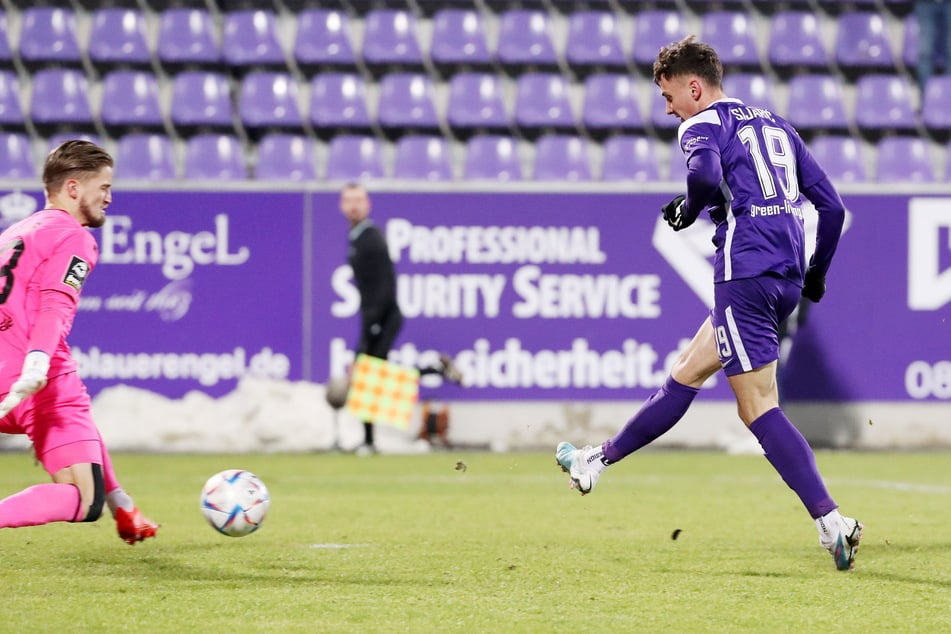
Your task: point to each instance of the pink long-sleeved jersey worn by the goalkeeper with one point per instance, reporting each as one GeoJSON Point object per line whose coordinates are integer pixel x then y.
{"type": "Point", "coordinates": [49, 250]}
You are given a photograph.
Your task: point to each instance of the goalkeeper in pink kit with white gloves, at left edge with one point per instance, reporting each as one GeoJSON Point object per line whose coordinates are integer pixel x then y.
{"type": "Point", "coordinates": [44, 261]}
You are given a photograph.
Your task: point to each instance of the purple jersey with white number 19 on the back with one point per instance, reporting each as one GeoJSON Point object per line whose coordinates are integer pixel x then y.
{"type": "Point", "coordinates": [758, 212]}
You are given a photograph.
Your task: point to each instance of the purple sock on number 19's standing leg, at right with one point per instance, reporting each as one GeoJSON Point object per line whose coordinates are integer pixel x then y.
{"type": "Point", "coordinates": [792, 457]}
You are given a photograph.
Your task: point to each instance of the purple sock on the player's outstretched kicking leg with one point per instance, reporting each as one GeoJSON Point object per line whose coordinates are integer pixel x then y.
{"type": "Point", "coordinates": [661, 412]}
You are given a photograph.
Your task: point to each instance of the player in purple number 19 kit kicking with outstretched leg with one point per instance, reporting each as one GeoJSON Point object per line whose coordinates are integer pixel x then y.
{"type": "Point", "coordinates": [749, 169]}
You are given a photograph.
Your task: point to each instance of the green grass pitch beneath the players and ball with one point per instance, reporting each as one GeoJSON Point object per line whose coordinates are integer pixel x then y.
{"type": "Point", "coordinates": [415, 544]}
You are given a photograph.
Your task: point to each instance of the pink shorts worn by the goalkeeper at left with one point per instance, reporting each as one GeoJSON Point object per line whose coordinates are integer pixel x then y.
{"type": "Point", "coordinates": [58, 419]}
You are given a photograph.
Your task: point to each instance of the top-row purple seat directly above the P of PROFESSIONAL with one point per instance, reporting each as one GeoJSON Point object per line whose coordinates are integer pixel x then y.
{"type": "Point", "coordinates": [389, 39]}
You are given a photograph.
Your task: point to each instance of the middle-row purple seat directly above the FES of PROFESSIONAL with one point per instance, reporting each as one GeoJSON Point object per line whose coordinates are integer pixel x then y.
{"type": "Point", "coordinates": [475, 102]}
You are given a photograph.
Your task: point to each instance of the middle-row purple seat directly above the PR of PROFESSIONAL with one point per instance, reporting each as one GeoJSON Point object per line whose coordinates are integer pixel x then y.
{"type": "Point", "coordinates": [406, 102]}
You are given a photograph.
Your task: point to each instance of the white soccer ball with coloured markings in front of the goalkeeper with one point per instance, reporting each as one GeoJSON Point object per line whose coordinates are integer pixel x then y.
{"type": "Point", "coordinates": [235, 502]}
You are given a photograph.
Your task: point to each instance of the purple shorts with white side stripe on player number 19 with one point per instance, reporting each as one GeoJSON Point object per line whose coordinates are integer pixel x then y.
{"type": "Point", "coordinates": [746, 316]}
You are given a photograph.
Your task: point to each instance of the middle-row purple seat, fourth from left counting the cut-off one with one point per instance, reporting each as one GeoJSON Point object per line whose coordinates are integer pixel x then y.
{"type": "Point", "coordinates": [201, 99]}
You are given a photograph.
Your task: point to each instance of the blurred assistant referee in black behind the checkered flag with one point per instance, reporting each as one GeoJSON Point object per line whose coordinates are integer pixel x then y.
{"type": "Point", "coordinates": [375, 277]}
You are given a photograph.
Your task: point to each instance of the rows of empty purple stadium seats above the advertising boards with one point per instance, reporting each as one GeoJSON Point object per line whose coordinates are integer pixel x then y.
{"type": "Point", "coordinates": [300, 90]}
